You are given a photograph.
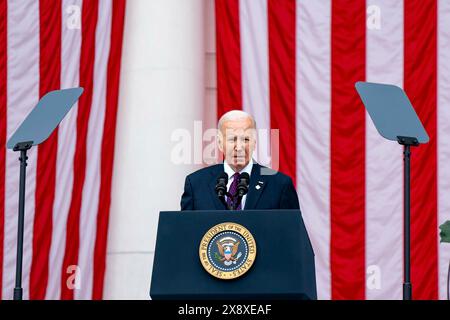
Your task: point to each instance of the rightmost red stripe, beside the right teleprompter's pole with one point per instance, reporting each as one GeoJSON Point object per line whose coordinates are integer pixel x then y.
{"type": "Point", "coordinates": [420, 82]}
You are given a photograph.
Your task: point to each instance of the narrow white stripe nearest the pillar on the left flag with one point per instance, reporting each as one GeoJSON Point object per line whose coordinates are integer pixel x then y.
{"type": "Point", "coordinates": [89, 206]}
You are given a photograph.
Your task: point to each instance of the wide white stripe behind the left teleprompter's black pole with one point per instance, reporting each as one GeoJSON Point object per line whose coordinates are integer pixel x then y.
{"type": "Point", "coordinates": [23, 95]}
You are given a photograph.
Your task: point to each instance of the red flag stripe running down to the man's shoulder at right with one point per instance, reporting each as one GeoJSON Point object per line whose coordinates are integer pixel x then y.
{"type": "Point", "coordinates": [281, 28]}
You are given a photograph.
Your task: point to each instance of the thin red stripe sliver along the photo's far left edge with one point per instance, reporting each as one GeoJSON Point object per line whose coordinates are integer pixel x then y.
{"type": "Point", "coordinates": [3, 115]}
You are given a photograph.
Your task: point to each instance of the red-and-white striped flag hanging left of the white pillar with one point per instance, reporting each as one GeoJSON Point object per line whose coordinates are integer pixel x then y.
{"type": "Point", "coordinates": [47, 45]}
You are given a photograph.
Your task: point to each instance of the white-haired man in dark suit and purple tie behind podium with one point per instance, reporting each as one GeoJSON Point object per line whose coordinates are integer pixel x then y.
{"type": "Point", "coordinates": [268, 189]}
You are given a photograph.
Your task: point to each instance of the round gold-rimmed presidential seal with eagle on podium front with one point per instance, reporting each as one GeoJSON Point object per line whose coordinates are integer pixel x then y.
{"type": "Point", "coordinates": [227, 250]}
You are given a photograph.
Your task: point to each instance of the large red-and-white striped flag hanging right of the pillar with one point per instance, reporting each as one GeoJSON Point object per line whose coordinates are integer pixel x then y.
{"type": "Point", "coordinates": [293, 65]}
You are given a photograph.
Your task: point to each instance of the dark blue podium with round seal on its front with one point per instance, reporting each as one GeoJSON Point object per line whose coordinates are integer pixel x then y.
{"type": "Point", "coordinates": [282, 268]}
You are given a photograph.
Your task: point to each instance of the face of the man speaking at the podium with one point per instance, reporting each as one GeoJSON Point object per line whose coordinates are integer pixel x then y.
{"type": "Point", "coordinates": [237, 141]}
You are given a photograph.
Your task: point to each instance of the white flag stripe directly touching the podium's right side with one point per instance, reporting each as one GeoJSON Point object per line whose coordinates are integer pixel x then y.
{"type": "Point", "coordinates": [313, 32]}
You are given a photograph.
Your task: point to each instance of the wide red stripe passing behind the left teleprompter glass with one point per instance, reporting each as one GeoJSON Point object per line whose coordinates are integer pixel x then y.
{"type": "Point", "coordinates": [49, 79]}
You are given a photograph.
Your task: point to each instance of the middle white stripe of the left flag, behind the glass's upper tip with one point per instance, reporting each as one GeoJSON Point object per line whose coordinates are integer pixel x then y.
{"type": "Point", "coordinates": [70, 66]}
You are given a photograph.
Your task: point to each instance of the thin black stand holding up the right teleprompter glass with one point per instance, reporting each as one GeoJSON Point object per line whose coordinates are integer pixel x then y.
{"type": "Point", "coordinates": [407, 142]}
